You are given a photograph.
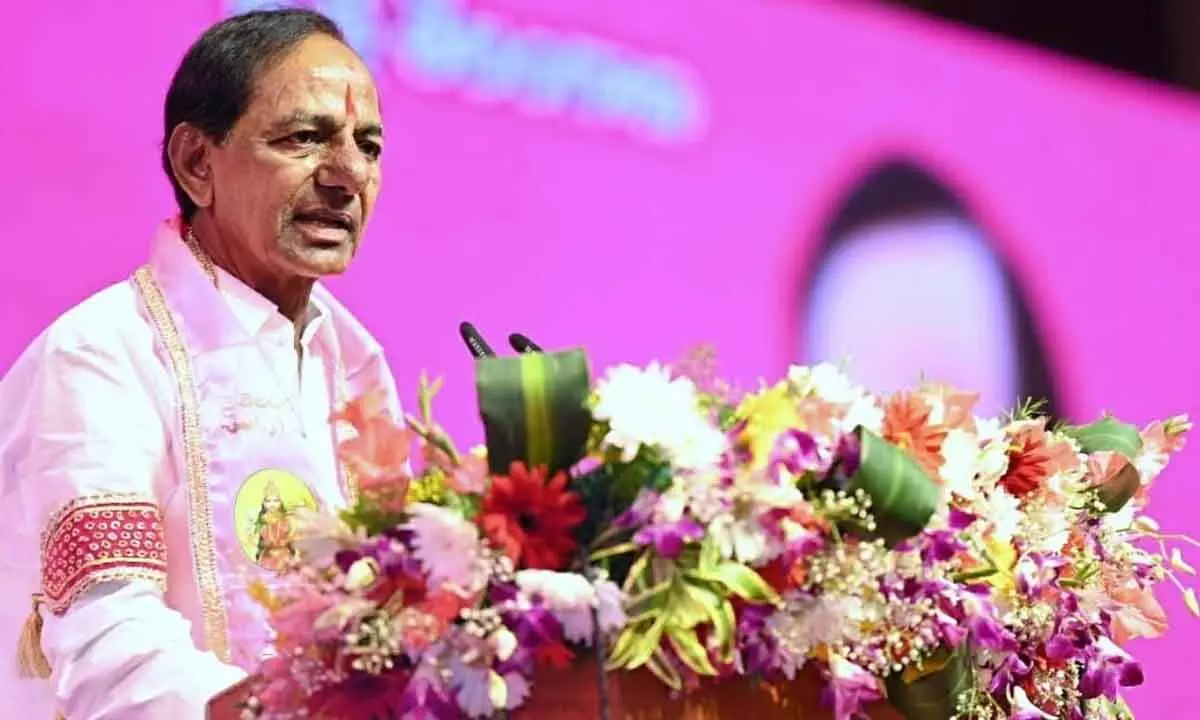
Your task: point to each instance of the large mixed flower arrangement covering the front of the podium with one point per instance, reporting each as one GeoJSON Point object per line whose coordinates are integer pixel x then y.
{"type": "Point", "coordinates": [905, 548]}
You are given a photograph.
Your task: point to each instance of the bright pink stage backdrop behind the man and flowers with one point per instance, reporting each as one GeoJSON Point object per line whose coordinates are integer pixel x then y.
{"type": "Point", "coordinates": [641, 177]}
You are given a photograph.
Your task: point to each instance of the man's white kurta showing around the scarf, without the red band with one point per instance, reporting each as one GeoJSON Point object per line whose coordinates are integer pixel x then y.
{"type": "Point", "coordinates": [91, 411]}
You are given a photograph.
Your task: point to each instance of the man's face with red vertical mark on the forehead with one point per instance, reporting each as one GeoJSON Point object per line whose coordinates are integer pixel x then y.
{"type": "Point", "coordinates": [299, 175]}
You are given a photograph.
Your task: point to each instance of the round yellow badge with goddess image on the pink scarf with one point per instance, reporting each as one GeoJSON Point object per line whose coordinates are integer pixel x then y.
{"type": "Point", "coordinates": [266, 508]}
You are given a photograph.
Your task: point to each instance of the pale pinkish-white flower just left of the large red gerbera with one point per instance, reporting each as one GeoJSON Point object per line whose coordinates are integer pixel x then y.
{"type": "Point", "coordinates": [448, 548]}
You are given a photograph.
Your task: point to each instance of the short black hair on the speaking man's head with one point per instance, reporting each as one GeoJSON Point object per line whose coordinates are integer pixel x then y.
{"type": "Point", "coordinates": [215, 82]}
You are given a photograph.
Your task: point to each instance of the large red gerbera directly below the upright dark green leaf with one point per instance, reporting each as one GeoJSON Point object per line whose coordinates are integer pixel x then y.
{"type": "Point", "coordinates": [532, 518]}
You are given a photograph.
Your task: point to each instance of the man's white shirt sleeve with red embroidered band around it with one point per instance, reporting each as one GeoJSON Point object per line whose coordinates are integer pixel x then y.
{"type": "Point", "coordinates": [95, 436]}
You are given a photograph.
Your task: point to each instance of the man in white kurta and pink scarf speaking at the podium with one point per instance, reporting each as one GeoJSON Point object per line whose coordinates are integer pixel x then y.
{"type": "Point", "coordinates": [160, 436]}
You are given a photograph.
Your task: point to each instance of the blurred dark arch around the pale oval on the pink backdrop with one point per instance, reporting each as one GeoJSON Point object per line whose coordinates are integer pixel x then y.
{"type": "Point", "coordinates": [898, 188]}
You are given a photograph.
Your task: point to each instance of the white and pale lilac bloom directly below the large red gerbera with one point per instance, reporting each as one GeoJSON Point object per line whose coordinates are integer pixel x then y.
{"type": "Point", "coordinates": [573, 601]}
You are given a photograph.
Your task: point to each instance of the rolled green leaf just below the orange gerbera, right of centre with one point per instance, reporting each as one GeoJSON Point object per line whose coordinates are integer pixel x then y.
{"type": "Point", "coordinates": [903, 496]}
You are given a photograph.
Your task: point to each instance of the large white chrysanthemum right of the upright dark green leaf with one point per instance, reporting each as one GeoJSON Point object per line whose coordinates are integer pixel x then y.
{"type": "Point", "coordinates": [647, 407]}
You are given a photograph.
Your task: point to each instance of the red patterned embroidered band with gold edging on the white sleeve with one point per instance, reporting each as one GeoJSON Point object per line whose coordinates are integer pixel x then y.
{"type": "Point", "coordinates": [101, 539]}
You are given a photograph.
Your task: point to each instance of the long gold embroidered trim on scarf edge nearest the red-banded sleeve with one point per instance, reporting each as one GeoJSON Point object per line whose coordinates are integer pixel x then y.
{"type": "Point", "coordinates": [217, 623]}
